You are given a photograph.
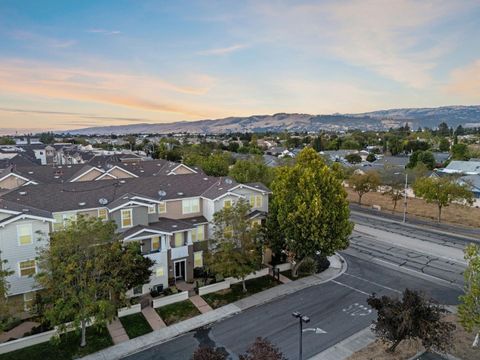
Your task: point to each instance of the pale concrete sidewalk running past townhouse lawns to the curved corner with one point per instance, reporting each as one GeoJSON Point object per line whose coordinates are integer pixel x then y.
{"type": "Point", "coordinates": [337, 267]}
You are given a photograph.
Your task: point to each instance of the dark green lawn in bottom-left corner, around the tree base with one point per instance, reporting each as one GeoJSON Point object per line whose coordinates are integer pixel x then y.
{"type": "Point", "coordinates": [68, 348]}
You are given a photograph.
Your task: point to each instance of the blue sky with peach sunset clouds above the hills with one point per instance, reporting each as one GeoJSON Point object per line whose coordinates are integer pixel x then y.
{"type": "Point", "coordinates": [74, 64]}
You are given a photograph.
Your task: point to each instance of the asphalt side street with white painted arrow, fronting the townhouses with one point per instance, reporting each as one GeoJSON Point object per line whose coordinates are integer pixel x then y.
{"type": "Point", "coordinates": [337, 307]}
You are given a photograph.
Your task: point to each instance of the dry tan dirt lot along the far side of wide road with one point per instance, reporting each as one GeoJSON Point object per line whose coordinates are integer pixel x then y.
{"type": "Point", "coordinates": [454, 214]}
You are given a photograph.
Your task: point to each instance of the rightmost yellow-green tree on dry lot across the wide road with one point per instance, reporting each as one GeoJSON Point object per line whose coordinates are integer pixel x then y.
{"type": "Point", "coordinates": [442, 192]}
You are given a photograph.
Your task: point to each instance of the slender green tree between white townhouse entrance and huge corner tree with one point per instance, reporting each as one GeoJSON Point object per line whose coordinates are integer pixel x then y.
{"type": "Point", "coordinates": [235, 243]}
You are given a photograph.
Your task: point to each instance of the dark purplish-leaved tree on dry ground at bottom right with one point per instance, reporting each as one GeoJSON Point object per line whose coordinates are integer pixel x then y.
{"type": "Point", "coordinates": [412, 317]}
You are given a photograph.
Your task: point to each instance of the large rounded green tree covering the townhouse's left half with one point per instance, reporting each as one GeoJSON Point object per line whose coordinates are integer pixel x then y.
{"type": "Point", "coordinates": [86, 271]}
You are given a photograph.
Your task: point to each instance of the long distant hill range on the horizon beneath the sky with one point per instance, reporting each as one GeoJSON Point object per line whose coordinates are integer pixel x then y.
{"type": "Point", "coordinates": [376, 120]}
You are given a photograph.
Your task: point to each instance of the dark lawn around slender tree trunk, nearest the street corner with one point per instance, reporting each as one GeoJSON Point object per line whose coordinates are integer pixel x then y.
{"type": "Point", "coordinates": [224, 297]}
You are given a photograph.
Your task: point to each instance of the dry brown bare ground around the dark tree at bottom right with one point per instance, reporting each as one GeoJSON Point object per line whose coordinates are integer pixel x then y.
{"type": "Point", "coordinates": [462, 347]}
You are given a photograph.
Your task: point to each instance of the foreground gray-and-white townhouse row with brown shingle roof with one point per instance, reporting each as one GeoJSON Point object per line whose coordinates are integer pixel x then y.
{"type": "Point", "coordinates": [169, 214]}
